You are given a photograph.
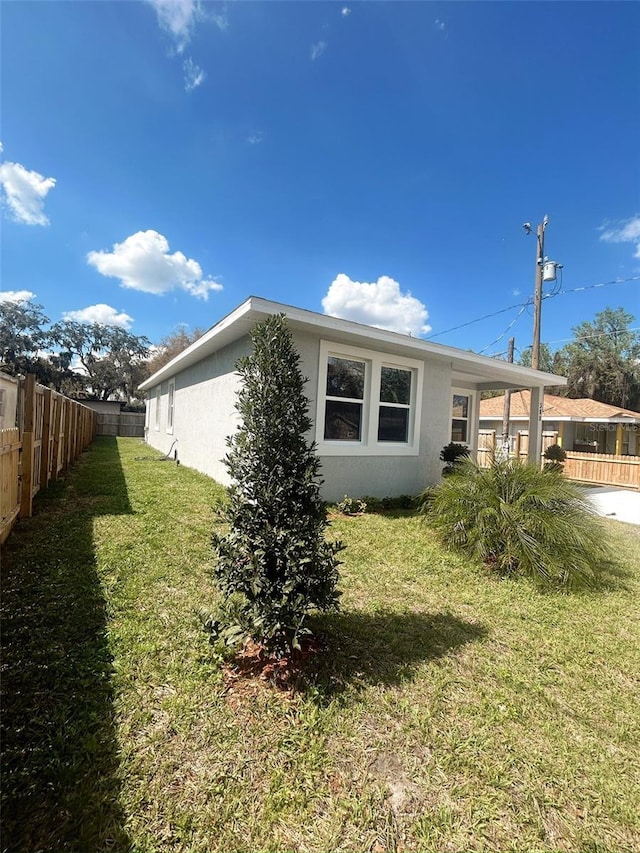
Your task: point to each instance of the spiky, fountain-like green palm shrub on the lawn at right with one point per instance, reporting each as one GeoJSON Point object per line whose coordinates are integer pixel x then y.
{"type": "Point", "coordinates": [520, 520]}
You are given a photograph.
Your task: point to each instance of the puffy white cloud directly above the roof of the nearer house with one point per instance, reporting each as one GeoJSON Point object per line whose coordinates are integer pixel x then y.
{"type": "Point", "coordinates": [380, 303]}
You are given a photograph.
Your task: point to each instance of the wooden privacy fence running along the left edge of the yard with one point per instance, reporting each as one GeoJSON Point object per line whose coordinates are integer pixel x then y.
{"type": "Point", "coordinates": [53, 433]}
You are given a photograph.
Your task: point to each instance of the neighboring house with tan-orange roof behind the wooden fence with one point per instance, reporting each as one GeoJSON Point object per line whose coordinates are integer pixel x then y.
{"type": "Point", "coordinates": [583, 425]}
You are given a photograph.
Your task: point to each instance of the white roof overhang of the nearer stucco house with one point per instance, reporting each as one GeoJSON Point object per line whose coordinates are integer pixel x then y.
{"type": "Point", "coordinates": [468, 368]}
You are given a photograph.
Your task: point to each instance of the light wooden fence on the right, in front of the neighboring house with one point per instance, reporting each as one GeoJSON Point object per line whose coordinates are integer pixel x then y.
{"type": "Point", "coordinates": [601, 468]}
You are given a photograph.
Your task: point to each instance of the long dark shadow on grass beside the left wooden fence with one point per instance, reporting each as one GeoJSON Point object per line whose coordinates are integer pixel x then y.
{"type": "Point", "coordinates": [59, 754]}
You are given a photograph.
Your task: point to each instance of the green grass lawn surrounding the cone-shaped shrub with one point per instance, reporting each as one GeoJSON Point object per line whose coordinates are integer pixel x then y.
{"type": "Point", "coordinates": [451, 712]}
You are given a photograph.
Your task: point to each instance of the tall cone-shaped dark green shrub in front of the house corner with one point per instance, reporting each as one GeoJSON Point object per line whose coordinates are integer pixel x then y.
{"type": "Point", "coordinates": [274, 564]}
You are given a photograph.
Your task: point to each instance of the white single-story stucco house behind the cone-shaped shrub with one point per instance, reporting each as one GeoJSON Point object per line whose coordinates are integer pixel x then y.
{"type": "Point", "coordinates": [383, 404]}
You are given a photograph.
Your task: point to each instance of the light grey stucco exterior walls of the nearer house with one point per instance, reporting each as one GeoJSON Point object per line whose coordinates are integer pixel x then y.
{"type": "Point", "coordinates": [204, 415]}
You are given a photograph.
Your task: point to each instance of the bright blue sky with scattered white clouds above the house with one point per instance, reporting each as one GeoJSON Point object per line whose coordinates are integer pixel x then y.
{"type": "Point", "coordinates": [164, 160]}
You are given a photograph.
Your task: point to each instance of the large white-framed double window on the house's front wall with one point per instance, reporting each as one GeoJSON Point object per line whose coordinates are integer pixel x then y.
{"type": "Point", "coordinates": [368, 402]}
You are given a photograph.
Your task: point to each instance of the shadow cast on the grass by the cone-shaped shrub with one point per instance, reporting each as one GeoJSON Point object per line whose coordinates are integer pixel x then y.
{"type": "Point", "coordinates": [385, 647]}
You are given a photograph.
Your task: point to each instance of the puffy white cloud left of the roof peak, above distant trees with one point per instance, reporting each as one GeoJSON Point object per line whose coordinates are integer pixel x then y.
{"type": "Point", "coordinates": [142, 262]}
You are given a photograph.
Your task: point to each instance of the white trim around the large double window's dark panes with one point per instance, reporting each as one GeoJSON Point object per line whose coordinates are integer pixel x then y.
{"type": "Point", "coordinates": [369, 444]}
